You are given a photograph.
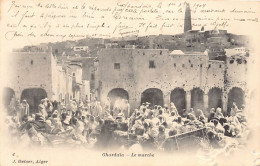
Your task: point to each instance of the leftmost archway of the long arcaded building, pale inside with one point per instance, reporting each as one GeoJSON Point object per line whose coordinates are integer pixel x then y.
{"type": "Point", "coordinates": [117, 93]}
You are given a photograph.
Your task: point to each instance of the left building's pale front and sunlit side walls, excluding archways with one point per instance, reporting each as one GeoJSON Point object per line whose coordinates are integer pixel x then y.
{"type": "Point", "coordinates": [37, 70]}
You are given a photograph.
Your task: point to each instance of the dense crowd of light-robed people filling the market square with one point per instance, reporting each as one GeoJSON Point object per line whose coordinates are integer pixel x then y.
{"type": "Point", "coordinates": [98, 126]}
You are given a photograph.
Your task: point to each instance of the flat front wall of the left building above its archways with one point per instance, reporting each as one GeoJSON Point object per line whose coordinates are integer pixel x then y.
{"type": "Point", "coordinates": [32, 70]}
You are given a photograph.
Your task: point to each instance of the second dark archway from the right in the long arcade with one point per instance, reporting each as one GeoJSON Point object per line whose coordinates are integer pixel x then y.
{"type": "Point", "coordinates": [215, 98]}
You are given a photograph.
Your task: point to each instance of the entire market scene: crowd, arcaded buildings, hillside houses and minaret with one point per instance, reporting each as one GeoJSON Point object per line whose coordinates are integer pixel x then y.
{"type": "Point", "coordinates": [159, 92]}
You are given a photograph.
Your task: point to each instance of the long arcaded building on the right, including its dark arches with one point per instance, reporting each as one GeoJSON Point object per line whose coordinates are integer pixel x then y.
{"type": "Point", "coordinates": [157, 76]}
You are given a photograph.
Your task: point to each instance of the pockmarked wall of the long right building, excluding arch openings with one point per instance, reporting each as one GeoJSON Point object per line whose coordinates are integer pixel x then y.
{"type": "Point", "coordinates": [170, 71]}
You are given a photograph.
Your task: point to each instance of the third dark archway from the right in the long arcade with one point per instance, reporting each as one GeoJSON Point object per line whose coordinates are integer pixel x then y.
{"type": "Point", "coordinates": [197, 101]}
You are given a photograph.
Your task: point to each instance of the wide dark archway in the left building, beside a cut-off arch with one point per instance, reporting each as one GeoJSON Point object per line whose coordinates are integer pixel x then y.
{"type": "Point", "coordinates": [33, 96]}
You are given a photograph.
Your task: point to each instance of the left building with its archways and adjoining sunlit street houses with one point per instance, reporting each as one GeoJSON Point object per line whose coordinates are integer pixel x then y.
{"type": "Point", "coordinates": [35, 74]}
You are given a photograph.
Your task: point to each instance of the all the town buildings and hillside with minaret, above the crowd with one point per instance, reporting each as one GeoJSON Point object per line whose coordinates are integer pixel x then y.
{"type": "Point", "coordinates": [183, 69]}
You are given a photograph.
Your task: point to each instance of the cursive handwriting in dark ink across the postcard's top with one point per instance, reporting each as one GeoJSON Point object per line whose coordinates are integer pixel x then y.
{"type": "Point", "coordinates": [74, 20]}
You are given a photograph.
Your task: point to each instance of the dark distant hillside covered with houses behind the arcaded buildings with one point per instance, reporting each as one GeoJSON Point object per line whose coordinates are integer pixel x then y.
{"type": "Point", "coordinates": [215, 41]}
